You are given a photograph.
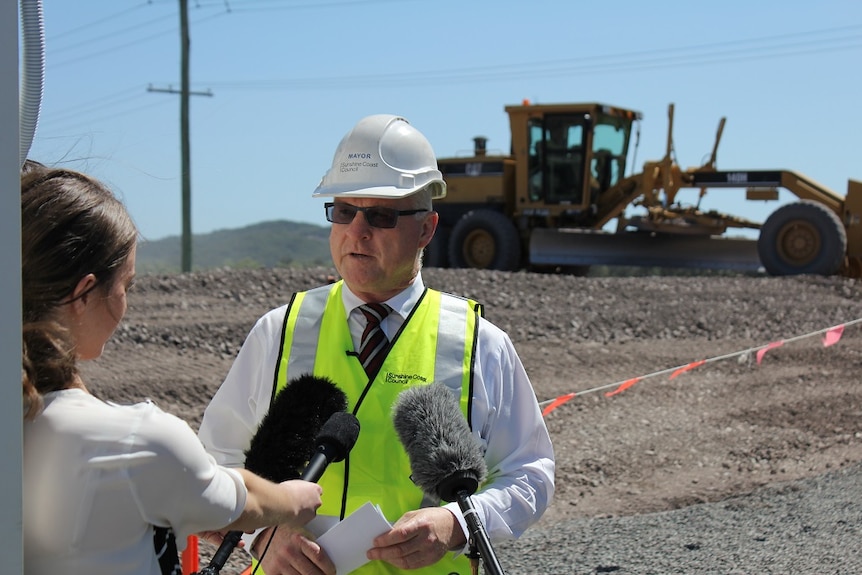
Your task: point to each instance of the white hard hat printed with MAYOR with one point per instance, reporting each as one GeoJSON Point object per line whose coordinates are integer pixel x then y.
{"type": "Point", "coordinates": [383, 156]}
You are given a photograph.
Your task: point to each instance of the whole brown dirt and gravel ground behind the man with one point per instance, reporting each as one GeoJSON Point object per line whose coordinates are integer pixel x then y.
{"type": "Point", "coordinates": [737, 466]}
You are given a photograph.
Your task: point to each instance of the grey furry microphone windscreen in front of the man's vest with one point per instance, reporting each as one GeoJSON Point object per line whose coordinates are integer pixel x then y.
{"type": "Point", "coordinates": [444, 455]}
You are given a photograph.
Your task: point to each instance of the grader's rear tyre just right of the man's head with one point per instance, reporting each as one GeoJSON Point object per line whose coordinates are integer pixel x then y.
{"type": "Point", "coordinates": [484, 239]}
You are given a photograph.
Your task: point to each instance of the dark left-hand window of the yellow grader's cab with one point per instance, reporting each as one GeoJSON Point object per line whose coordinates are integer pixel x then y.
{"type": "Point", "coordinates": [556, 159]}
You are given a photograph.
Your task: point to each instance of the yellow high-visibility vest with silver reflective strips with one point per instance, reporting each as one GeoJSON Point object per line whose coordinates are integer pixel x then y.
{"type": "Point", "coordinates": [435, 344]}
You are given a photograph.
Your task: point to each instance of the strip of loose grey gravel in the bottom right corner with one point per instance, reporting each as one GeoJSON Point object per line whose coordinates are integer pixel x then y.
{"type": "Point", "coordinates": [810, 526]}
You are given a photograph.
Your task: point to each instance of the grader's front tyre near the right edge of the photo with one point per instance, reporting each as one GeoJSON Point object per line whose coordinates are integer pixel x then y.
{"type": "Point", "coordinates": [804, 237]}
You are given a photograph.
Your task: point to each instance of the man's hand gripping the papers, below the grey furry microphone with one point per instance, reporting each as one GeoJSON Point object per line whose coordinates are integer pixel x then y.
{"type": "Point", "coordinates": [420, 538]}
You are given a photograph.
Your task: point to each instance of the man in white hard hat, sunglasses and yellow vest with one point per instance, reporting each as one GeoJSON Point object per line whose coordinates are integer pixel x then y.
{"type": "Point", "coordinates": [382, 181]}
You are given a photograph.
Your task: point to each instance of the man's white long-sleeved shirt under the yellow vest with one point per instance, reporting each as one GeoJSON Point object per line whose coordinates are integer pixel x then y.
{"type": "Point", "coordinates": [506, 417]}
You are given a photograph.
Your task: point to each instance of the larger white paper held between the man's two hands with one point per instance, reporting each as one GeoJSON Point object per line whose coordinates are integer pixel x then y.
{"type": "Point", "coordinates": [347, 542]}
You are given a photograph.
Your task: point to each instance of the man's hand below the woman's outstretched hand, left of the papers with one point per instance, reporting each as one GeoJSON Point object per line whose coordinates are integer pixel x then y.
{"type": "Point", "coordinates": [291, 553]}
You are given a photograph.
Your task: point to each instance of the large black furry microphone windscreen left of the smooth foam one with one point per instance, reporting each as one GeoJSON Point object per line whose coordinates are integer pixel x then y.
{"type": "Point", "coordinates": [285, 440]}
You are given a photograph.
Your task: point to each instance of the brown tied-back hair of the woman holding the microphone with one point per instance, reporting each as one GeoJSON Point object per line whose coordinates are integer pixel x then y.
{"type": "Point", "coordinates": [71, 226]}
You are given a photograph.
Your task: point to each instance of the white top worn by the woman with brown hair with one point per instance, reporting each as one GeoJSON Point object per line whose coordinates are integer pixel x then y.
{"type": "Point", "coordinates": [98, 476]}
